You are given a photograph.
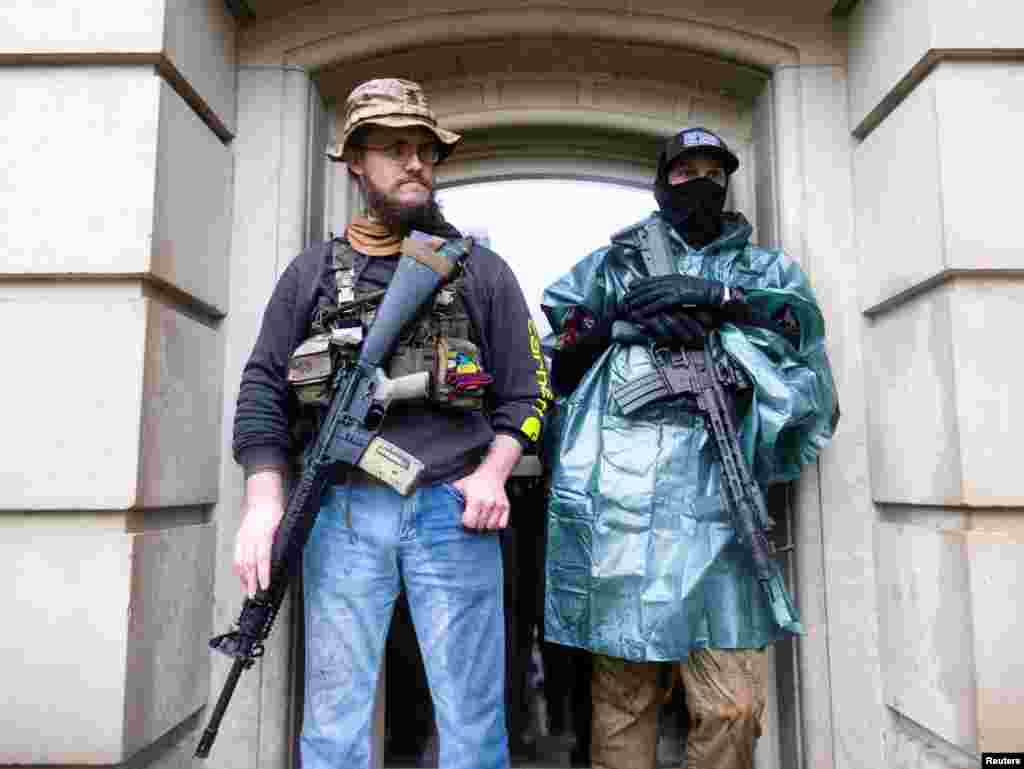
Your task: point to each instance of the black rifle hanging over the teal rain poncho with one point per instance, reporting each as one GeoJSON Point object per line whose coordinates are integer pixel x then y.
{"type": "Point", "coordinates": [708, 378]}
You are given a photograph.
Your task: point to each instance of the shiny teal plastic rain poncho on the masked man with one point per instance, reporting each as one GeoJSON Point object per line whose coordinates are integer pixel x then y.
{"type": "Point", "coordinates": [643, 560]}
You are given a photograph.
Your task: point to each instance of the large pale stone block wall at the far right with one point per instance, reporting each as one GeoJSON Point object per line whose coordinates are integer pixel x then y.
{"type": "Point", "coordinates": [941, 281]}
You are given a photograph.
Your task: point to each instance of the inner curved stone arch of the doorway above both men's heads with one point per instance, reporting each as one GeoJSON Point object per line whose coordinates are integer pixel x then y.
{"type": "Point", "coordinates": [581, 109]}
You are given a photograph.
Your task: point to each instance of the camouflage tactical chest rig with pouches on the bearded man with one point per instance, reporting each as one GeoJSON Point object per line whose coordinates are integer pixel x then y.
{"type": "Point", "coordinates": [437, 346]}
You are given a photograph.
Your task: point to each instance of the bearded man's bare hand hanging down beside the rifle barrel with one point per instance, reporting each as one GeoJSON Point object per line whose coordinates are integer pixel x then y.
{"type": "Point", "coordinates": [263, 510]}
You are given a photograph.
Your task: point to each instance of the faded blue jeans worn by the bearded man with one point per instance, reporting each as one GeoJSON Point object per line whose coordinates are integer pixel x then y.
{"type": "Point", "coordinates": [368, 543]}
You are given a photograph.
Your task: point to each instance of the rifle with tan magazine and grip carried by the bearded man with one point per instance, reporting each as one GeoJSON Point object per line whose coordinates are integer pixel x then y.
{"type": "Point", "coordinates": [349, 436]}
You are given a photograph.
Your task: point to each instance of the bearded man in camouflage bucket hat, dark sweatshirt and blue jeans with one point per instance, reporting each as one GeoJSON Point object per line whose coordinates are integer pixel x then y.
{"type": "Point", "coordinates": [487, 400]}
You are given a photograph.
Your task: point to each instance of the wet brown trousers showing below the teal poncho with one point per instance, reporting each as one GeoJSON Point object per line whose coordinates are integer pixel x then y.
{"type": "Point", "coordinates": [726, 697]}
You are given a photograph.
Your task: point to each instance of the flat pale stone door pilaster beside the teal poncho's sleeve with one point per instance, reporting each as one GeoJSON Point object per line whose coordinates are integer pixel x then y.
{"type": "Point", "coordinates": [839, 679]}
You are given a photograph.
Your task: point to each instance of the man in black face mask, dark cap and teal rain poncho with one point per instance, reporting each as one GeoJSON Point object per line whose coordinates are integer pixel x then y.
{"type": "Point", "coordinates": [645, 565]}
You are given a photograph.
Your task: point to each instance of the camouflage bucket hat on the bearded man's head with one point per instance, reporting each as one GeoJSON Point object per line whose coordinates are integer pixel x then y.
{"type": "Point", "coordinates": [393, 103]}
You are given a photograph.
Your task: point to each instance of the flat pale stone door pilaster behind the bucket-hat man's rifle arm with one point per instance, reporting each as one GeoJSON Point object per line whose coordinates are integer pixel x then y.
{"type": "Point", "coordinates": [278, 109]}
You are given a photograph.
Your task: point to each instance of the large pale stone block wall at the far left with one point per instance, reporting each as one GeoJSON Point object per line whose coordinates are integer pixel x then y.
{"type": "Point", "coordinates": [116, 223]}
